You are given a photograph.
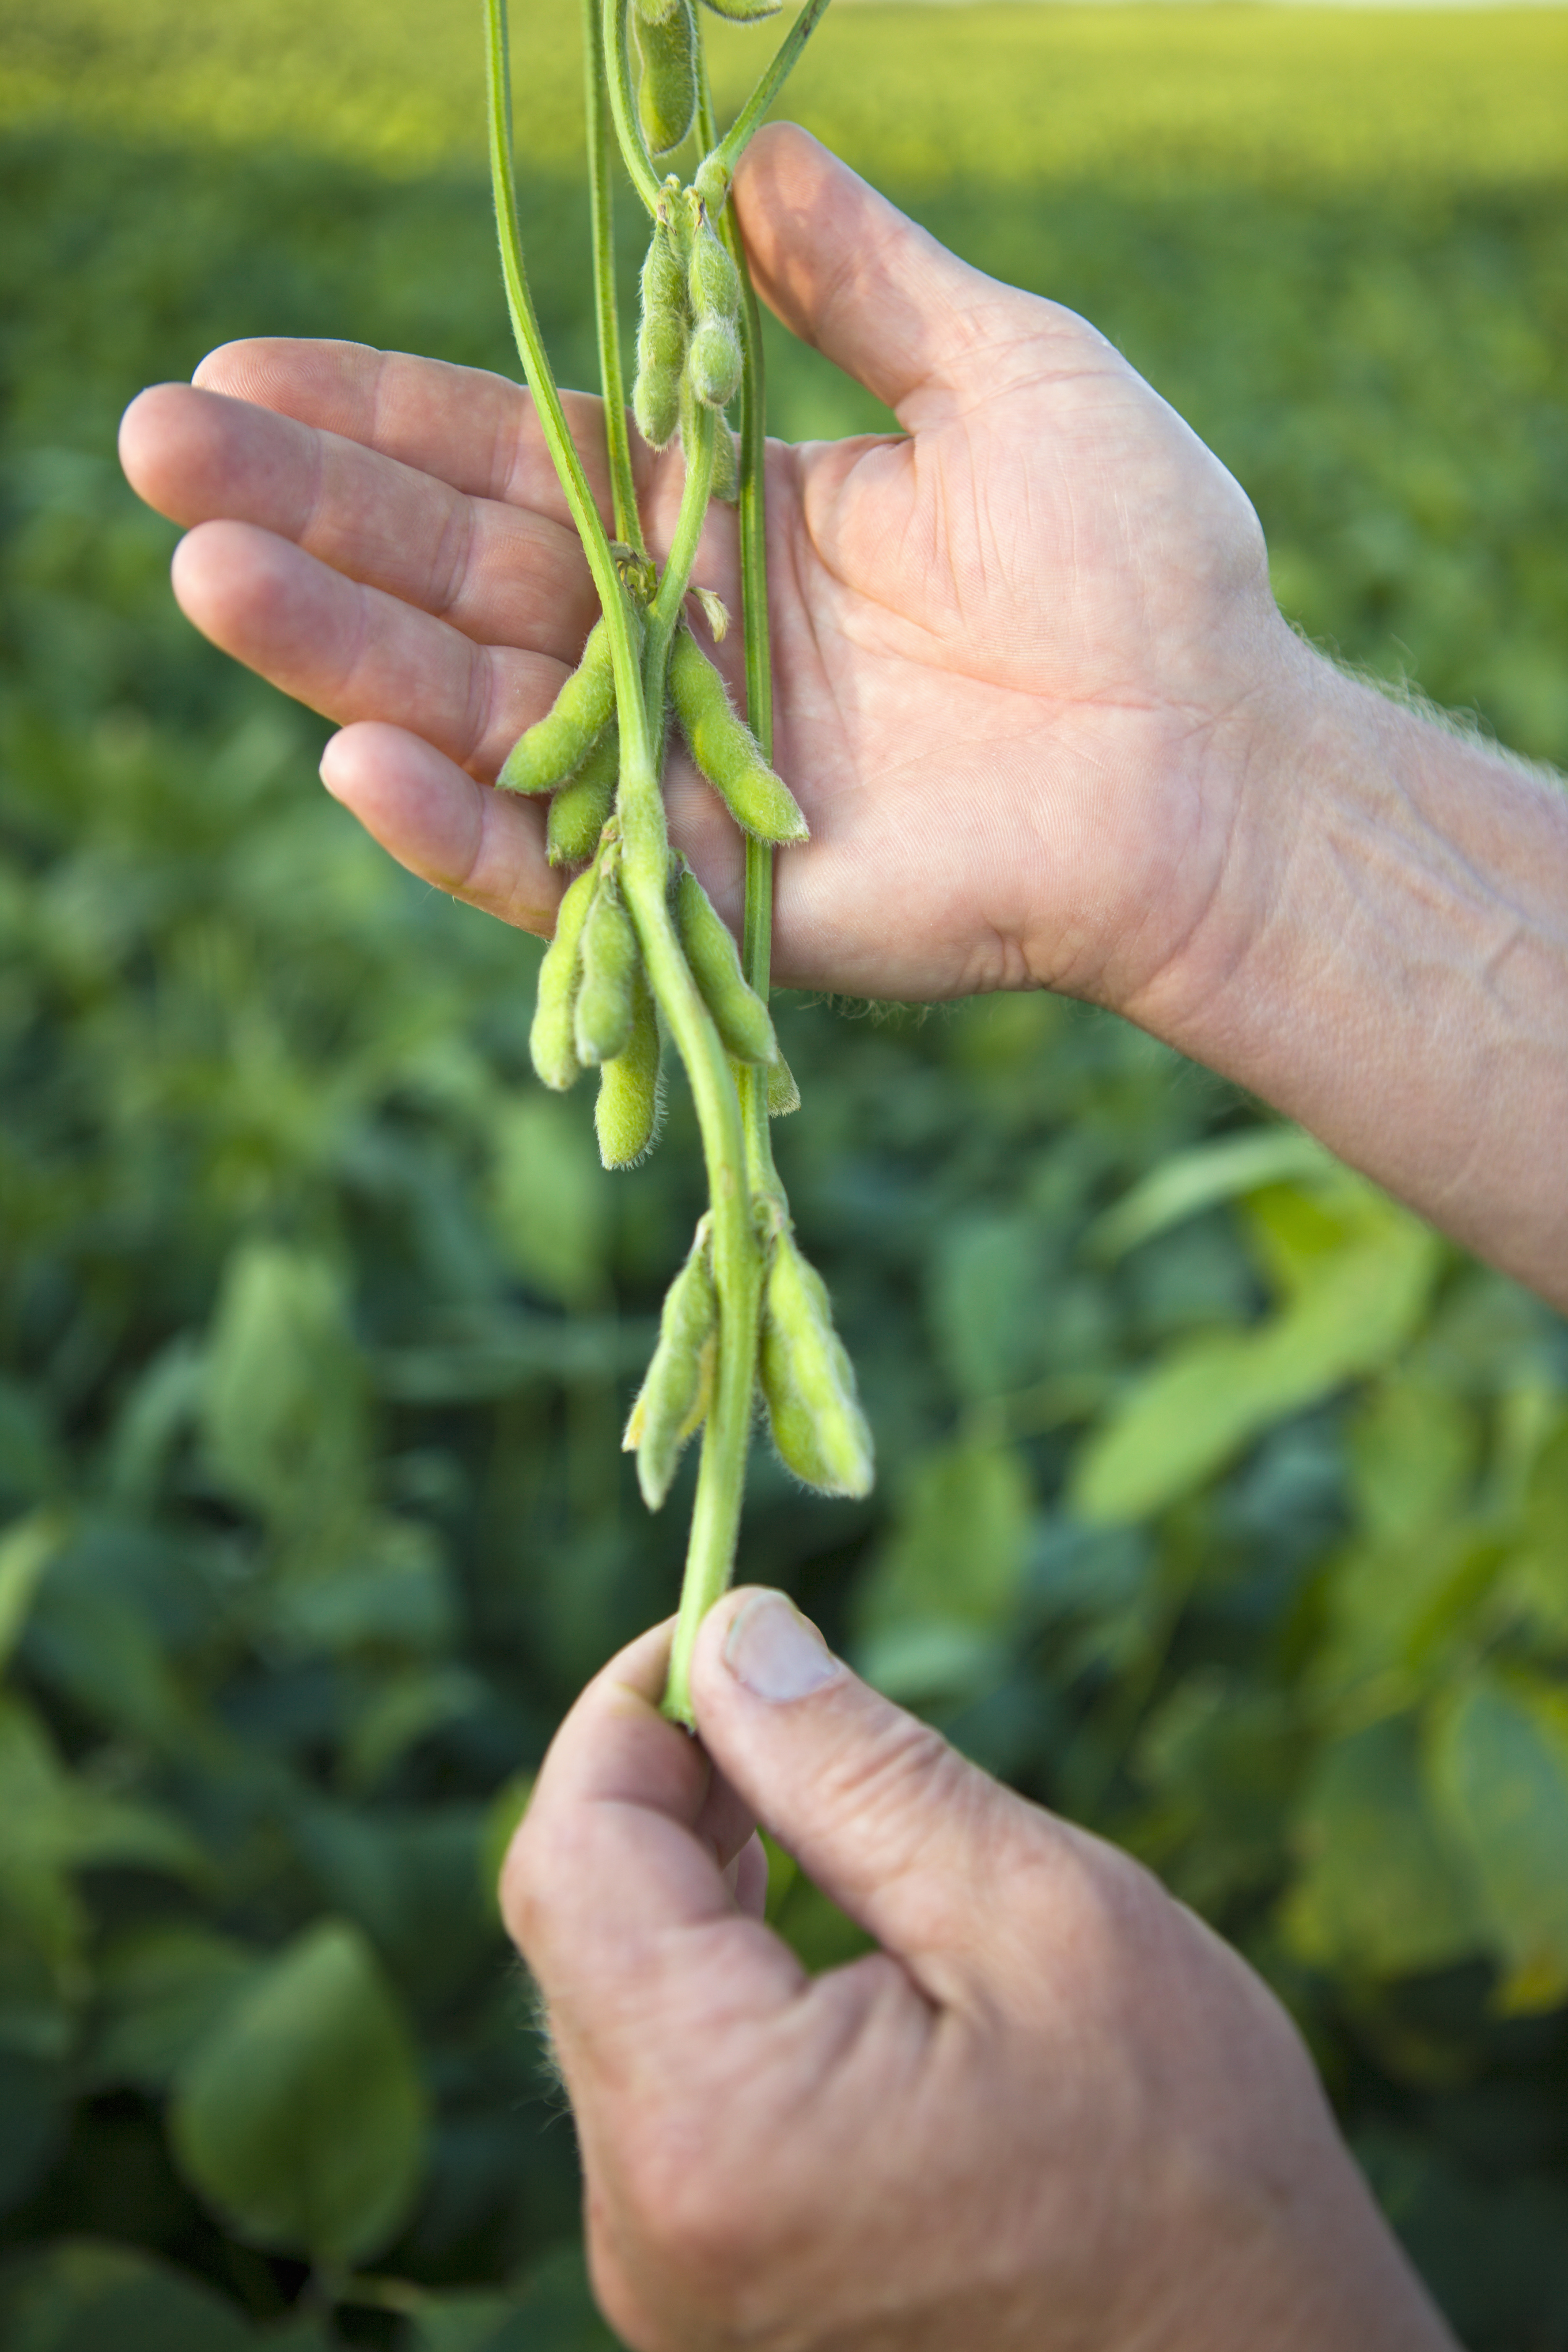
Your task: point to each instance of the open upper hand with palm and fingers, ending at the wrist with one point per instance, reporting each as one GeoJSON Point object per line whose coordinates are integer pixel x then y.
{"type": "Point", "coordinates": [1017, 648]}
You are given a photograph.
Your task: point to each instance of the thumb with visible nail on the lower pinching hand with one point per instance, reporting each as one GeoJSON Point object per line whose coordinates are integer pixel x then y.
{"type": "Point", "coordinates": [894, 1824]}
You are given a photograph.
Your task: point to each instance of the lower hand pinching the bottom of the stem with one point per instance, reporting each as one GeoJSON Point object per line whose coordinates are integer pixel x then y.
{"type": "Point", "coordinates": [1050, 2113]}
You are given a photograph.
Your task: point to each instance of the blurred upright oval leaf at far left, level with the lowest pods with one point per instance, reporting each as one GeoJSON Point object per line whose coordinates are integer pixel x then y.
{"type": "Point", "coordinates": [283, 1410]}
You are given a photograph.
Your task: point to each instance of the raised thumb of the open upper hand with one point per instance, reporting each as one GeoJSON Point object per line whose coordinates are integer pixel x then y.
{"type": "Point", "coordinates": [871, 290]}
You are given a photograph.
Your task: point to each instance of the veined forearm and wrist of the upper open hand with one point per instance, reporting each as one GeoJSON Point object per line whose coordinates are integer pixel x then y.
{"type": "Point", "coordinates": [1388, 963]}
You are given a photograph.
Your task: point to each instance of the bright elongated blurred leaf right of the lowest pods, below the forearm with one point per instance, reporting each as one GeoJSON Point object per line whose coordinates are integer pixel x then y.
{"type": "Point", "coordinates": [1355, 1307]}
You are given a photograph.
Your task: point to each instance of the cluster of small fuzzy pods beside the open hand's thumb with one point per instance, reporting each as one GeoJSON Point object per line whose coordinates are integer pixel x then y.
{"type": "Point", "coordinates": [690, 328]}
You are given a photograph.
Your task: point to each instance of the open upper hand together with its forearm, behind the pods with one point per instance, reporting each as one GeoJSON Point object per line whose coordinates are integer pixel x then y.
{"type": "Point", "coordinates": [1031, 674]}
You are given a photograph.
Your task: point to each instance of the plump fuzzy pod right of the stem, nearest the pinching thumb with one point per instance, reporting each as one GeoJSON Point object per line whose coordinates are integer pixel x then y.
{"type": "Point", "coordinates": [808, 1379]}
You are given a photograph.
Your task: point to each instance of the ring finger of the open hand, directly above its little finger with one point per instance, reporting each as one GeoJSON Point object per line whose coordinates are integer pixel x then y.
{"type": "Point", "coordinates": [356, 653]}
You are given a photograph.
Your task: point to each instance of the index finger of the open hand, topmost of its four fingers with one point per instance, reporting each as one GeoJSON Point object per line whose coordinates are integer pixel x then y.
{"type": "Point", "coordinates": [462, 425]}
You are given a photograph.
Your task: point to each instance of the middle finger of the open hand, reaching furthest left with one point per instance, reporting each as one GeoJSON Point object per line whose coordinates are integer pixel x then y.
{"type": "Point", "coordinates": [504, 575]}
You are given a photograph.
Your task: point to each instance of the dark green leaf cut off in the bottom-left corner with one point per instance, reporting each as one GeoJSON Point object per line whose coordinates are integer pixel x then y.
{"type": "Point", "coordinates": [86, 2297]}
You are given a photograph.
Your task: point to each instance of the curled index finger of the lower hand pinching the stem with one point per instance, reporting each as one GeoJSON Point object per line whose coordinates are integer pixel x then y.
{"type": "Point", "coordinates": [612, 1887]}
